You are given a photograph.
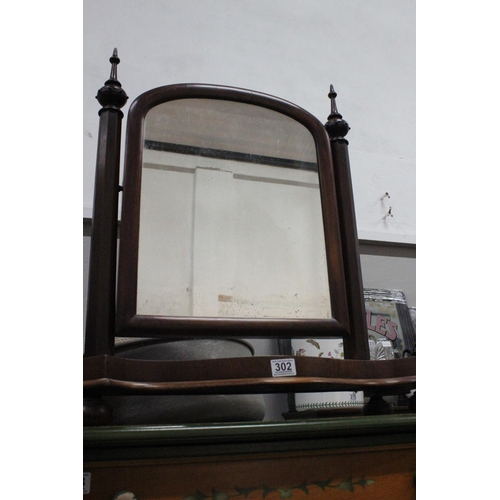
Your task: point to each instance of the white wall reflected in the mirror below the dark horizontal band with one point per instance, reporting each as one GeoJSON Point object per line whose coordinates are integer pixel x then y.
{"type": "Point", "coordinates": [229, 238]}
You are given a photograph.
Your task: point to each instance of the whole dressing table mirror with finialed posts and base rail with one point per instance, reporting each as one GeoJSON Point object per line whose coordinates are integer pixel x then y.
{"type": "Point", "coordinates": [237, 221]}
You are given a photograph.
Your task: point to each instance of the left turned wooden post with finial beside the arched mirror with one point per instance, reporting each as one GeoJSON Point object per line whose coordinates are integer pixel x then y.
{"type": "Point", "coordinates": [100, 324]}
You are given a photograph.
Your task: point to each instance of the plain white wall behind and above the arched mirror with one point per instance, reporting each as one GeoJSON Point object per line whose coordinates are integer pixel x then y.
{"type": "Point", "coordinates": [289, 48]}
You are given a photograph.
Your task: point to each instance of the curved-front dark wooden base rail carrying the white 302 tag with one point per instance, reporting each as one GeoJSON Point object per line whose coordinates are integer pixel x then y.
{"type": "Point", "coordinates": [110, 375]}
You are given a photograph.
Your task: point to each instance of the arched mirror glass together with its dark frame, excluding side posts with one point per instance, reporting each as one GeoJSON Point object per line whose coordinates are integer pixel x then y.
{"type": "Point", "coordinates": [234, 232]}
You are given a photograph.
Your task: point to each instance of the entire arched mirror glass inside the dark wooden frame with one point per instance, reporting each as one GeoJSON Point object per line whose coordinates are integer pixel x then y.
{"type": "Point", "coordinates": [230, 218]}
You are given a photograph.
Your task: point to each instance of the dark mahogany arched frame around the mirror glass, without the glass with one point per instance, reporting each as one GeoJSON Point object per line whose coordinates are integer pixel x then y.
{"type": "Point", "coordinates": [131, 324]}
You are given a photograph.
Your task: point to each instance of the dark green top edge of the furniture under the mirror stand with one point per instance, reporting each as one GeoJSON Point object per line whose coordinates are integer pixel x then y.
{"type": "Point", "coordinates": [128, 442]}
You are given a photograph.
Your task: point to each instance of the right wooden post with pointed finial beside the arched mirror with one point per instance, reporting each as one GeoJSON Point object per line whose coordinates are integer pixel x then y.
{"type": "Point", "coordinates": [356, 344]}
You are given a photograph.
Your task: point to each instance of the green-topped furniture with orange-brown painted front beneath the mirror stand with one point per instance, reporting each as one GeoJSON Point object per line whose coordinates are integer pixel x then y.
{"type": "Point", "coordinates": [362, 457]}
